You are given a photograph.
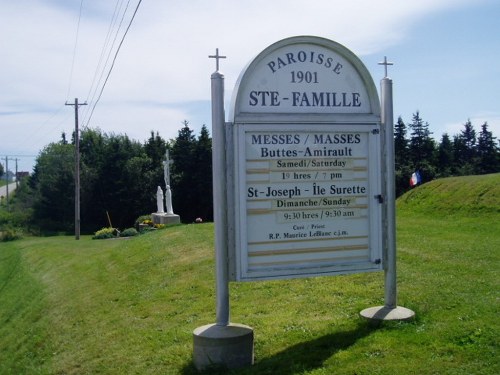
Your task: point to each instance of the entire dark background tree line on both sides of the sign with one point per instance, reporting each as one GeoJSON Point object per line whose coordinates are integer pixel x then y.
{"type": "Point", "coordinates": [119, 176]}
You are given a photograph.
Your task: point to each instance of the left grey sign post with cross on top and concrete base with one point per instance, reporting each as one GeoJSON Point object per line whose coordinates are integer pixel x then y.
{"type": "Point", "coordinates": [223, 343]}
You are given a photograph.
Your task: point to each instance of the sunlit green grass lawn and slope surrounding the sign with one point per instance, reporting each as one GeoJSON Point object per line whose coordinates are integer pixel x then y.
{"type": "Point", "coordinates": [130, 306]}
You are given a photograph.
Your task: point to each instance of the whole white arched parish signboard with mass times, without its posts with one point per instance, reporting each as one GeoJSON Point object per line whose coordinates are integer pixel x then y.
{"type": "Point", "coordinates": [307, 165]}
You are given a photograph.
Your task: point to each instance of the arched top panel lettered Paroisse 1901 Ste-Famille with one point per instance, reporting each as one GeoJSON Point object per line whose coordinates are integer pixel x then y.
{"type": "Point", "coordinates": [308, 79]}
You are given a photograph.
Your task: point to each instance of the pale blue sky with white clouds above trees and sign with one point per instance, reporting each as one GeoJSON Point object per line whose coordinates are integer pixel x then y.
{"type": "Point", "coordinates": [446, 55]}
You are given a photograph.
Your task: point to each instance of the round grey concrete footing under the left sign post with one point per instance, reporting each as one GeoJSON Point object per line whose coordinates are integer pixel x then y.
{"type": "Point", "coordinates": [228, 346]}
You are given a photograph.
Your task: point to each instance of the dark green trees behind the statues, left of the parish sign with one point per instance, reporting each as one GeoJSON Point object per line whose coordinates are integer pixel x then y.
{"type": "Point", "coordinates": [118, 180]}
